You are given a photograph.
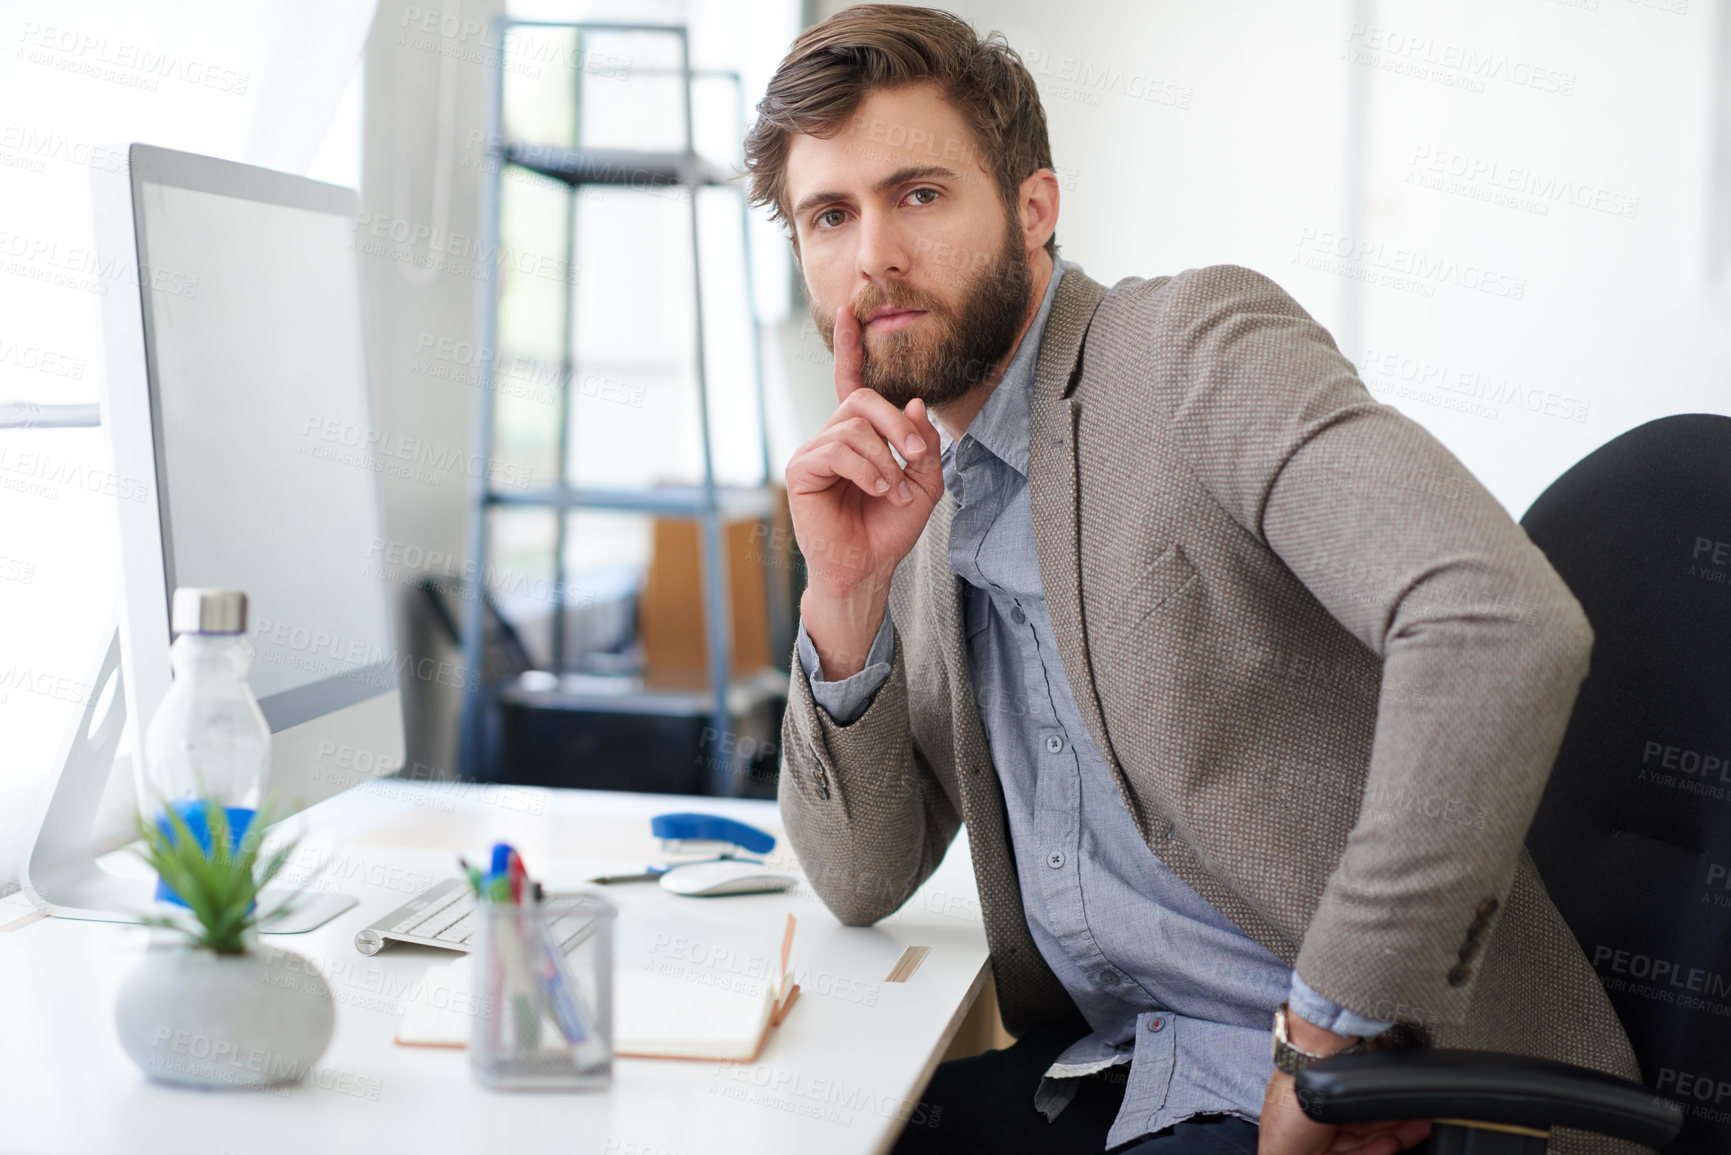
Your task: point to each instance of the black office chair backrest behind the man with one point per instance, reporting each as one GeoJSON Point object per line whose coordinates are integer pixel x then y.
{"type": "Point", "coordinates": [1633, 837]}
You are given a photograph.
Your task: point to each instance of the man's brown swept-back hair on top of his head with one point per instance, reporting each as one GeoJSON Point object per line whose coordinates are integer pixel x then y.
{"type": "Point", "coordinates": [833, 67]}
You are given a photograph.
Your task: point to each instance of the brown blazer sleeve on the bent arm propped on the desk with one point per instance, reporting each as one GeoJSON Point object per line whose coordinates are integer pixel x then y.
{"type": "Point", "coordinates": [865, 811]}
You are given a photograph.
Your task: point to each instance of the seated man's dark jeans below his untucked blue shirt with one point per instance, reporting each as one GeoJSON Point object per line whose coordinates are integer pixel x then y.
{"type": "Point", "coordinates": [984, 1106]}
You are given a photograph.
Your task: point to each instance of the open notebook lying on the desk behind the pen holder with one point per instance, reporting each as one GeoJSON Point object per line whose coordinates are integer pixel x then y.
{"type": "Point", "coordinates": [688, 993]}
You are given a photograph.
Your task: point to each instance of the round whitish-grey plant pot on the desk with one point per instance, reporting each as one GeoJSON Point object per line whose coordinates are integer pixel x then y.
{"type": "Point", "coordinates": [224, 1021]}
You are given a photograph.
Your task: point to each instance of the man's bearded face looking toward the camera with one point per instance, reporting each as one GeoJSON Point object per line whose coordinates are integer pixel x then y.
{"type": "Point", "coordinates": [899, 219]}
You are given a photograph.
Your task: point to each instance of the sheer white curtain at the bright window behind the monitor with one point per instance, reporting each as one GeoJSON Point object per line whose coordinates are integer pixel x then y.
{"type": "Point", "coordinates": [269, 82]}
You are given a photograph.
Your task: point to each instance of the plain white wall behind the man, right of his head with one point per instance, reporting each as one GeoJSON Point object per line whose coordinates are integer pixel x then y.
{"type": "Point", "coordinates": [1535, 328]}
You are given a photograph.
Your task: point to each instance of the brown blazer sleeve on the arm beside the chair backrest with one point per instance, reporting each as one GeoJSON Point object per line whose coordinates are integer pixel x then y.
{"type": "Point", "coordinates": [1412, 555]}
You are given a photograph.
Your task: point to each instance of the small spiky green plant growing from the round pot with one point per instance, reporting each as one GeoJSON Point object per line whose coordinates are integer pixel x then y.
{"type": "Point", "coordinates": [221, 889]}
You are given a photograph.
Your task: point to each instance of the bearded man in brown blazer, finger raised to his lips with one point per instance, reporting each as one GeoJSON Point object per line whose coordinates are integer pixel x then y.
{"type": "Point", "coordinates": [1245, 688]}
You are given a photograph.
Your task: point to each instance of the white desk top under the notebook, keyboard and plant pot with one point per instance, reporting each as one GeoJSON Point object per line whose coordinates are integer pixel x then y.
{"type": "Point", "coordinates": [839, 1076]}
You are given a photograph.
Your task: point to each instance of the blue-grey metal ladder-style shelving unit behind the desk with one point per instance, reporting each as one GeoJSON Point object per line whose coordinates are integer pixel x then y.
{"type": "Point", "coordinates": [709, 505]}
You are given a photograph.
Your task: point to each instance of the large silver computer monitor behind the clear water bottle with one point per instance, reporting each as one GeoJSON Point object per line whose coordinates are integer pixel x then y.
{"type": "Point", "coordinates": [240, 423]}
